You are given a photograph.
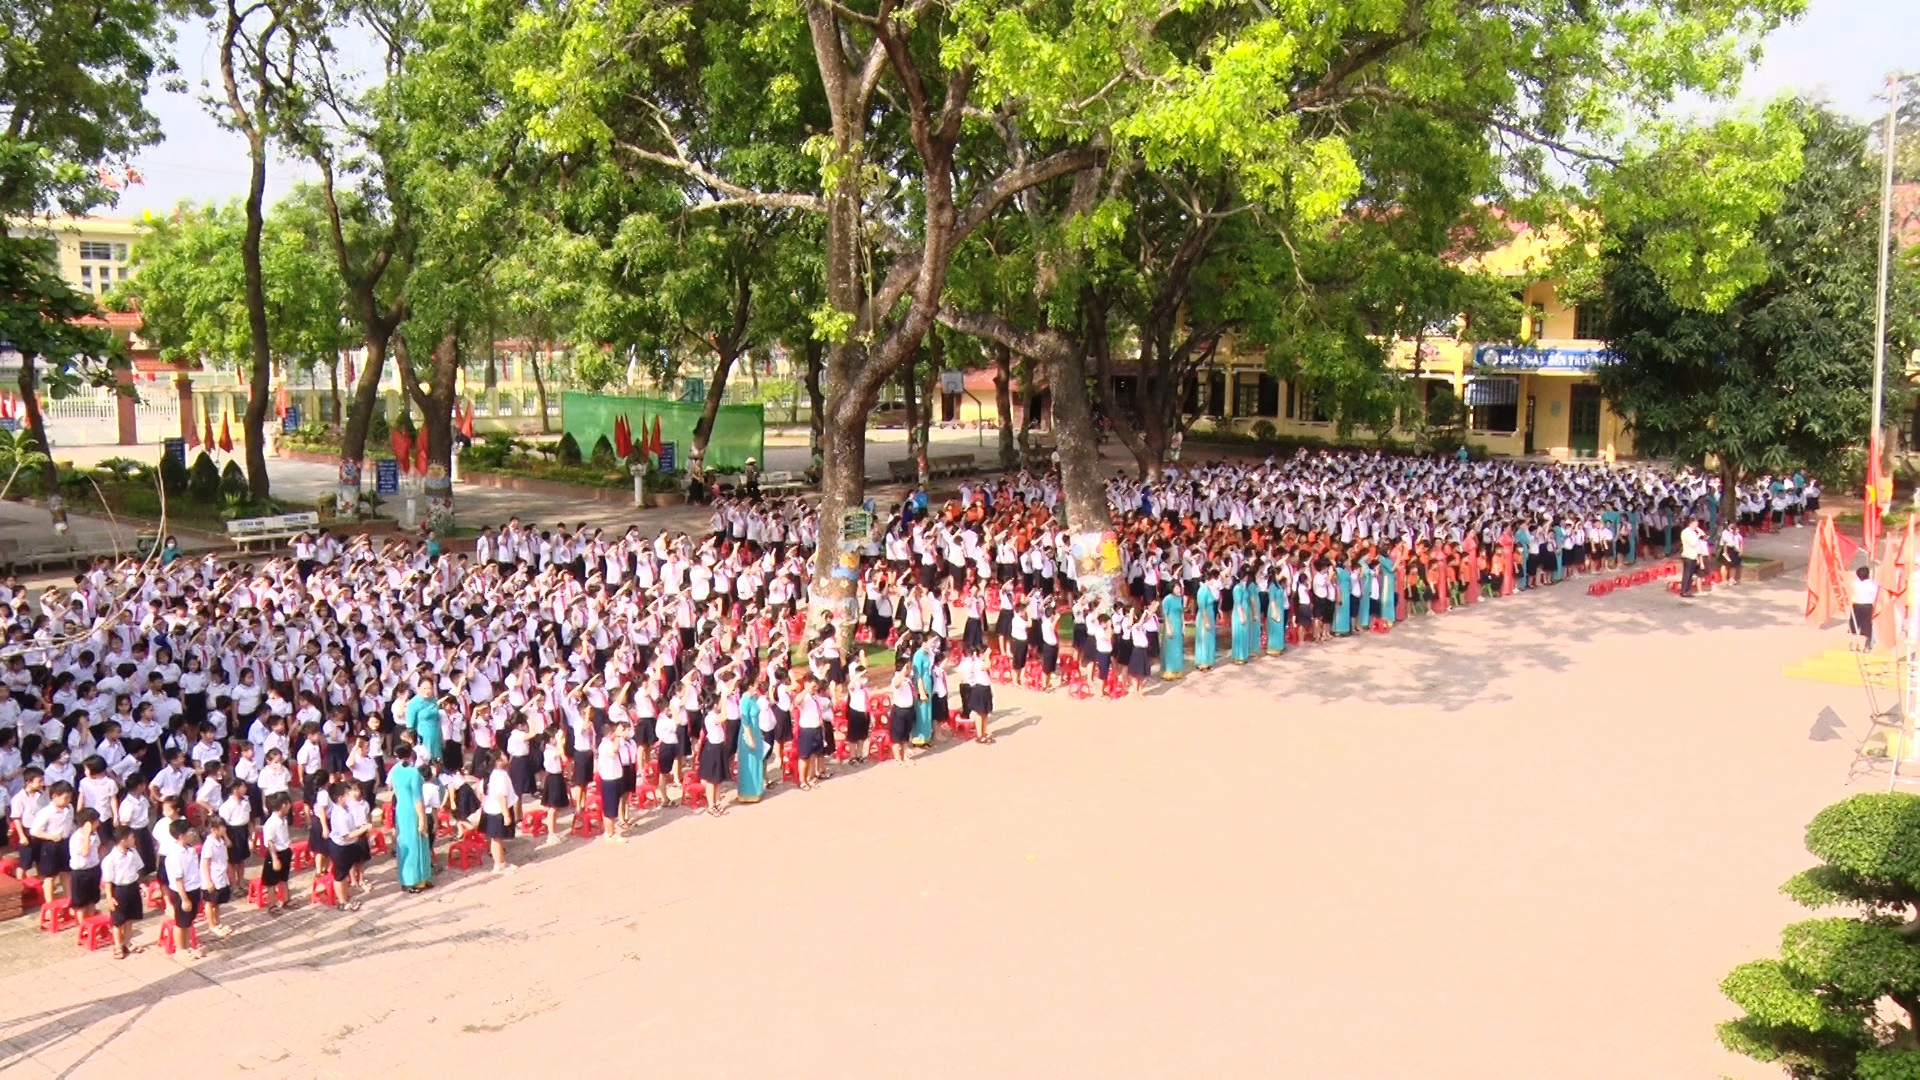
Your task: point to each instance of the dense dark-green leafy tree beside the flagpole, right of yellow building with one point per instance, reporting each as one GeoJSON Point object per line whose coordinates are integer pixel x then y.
{"type": "Point", "coordinates": [1773, 374]}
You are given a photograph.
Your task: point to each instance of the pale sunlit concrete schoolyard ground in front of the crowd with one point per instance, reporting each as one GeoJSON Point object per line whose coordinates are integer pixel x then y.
{"type": "Point", "coordinates": [1525, 839]}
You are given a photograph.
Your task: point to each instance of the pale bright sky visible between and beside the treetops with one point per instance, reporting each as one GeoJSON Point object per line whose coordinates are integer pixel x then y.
{"type": "Point", "coordinates": [1840, 51]}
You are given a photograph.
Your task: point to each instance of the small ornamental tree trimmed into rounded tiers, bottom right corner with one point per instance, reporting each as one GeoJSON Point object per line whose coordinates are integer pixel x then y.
{"type": "Point", "coordinates": [1844, 996]}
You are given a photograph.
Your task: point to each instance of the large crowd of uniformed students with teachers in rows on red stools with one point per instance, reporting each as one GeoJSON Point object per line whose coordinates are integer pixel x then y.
{"type": "Point", "coordinates": [185, 718]}
